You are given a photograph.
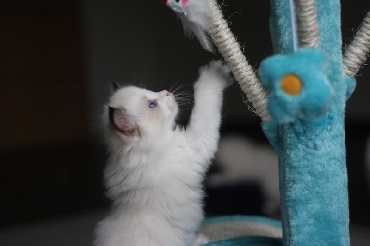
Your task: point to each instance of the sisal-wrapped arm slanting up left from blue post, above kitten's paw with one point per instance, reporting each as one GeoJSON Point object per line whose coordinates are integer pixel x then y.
{"type": "Point", "coordinates": [234, 58]}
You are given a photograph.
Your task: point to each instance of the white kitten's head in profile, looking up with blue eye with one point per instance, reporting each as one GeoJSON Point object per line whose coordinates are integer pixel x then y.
{"type": "Point", "coordinates": [135, 113]}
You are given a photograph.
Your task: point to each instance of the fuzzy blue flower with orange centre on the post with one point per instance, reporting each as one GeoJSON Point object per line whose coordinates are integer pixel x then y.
{"type": "Point", "coordinates": [298, 85]}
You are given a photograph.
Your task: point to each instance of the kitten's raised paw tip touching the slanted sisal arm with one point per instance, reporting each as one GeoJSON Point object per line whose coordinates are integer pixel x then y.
{"type": "Point", "coordinates": [216, 72]}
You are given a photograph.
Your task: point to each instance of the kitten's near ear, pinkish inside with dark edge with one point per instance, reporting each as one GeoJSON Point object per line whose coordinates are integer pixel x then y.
{"type": "Point", "coordinates": [122, 122]}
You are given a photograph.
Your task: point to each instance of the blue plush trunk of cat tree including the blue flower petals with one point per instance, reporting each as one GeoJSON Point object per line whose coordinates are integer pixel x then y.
{"type": "Point", "coordinates": [307, 130]}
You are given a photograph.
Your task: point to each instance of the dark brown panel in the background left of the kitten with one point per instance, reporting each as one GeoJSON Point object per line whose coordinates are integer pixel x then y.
{"type": "Point", "coordinates": [42, 85]}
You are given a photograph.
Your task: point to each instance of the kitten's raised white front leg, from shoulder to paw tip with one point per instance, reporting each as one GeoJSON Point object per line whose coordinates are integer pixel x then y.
{"type": "Point", "coordinates": [204, 125]}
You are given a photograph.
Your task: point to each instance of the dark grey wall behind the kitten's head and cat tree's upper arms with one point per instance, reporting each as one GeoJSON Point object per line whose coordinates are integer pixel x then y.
{"type": "Point", "coordinates": [136, 42]}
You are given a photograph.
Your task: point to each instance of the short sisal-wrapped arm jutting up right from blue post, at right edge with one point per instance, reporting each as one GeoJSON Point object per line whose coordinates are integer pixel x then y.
{"type": "Point", "coordinates": [357, 51]}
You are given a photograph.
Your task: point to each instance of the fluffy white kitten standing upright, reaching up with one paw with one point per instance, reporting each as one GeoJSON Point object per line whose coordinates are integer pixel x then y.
{"type": "Point", "coordinates": [155, 169]}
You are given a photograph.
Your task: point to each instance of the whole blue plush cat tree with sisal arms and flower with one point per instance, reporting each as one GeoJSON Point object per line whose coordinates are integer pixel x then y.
{"type": "Point", "coordinates": [309, 81]}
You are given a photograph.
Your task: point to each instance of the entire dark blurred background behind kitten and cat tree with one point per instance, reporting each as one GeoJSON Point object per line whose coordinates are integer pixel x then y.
{"type": "Point", "coordinates": [58, 58]}
